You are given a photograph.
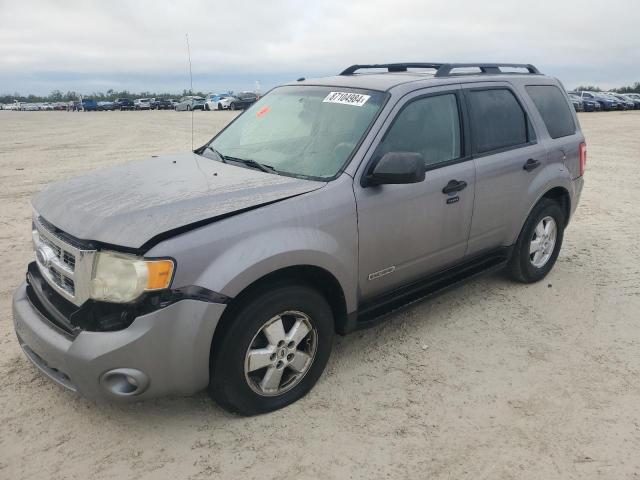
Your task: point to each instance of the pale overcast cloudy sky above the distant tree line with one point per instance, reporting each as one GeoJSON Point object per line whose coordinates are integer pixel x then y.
{"type": "Point", "coordinates": [94, 45]}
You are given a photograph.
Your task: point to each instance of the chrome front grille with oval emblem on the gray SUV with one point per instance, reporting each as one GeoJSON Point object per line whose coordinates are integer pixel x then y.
{"type": "Point", "coordinates": [64, 262]}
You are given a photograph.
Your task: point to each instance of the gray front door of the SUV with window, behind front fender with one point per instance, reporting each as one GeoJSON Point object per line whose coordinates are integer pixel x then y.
{"type": "Point", "coordinates": [408, 231]}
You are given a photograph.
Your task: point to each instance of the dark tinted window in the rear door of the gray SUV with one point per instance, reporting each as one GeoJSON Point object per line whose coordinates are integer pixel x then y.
{"type": "Point", "coordinates": [497, 119]}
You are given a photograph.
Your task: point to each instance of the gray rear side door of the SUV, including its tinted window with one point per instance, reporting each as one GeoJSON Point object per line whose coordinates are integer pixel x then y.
{"type": "Point", "coordinates": [508, 160]}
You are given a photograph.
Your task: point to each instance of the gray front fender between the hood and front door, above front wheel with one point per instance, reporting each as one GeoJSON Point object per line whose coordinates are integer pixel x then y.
{"type": "Point", "coordinates": [229, 255]}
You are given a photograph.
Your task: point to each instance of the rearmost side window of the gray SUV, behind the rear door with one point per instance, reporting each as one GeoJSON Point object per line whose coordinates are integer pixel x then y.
{"type": "Point", "coordinates": [553, 109]}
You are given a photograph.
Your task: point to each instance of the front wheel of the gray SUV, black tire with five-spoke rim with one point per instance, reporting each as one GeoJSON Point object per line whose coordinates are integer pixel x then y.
{"type": "Point", "coordinates": [237, 388]}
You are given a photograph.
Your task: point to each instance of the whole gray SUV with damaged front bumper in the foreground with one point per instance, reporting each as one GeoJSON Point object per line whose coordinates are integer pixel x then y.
{"type": "Point", "coordinates": [325, 205]}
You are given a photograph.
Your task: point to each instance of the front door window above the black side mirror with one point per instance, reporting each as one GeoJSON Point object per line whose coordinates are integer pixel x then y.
{"type": "Point", "coordinates": [428, 125]}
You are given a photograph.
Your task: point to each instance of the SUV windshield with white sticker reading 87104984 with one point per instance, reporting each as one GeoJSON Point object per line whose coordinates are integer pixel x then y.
{"type": "Point", "coordinates": [305, 131]}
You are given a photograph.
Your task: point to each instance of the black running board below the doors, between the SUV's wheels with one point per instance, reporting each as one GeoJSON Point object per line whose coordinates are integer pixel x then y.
{"type": "Point", "coordinates": [370, 313]}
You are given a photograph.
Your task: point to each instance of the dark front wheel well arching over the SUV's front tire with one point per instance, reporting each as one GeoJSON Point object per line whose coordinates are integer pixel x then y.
{"type": "Point", "coordinates": [315, 277]}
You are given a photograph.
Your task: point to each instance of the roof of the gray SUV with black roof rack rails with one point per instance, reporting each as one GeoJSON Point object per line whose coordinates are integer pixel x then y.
{"type": "Point", "coordinates": [400, 73]}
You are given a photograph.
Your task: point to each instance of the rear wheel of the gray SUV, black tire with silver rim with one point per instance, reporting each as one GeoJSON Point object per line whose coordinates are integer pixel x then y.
{"type": "Point", "coordinates": [523, 266]}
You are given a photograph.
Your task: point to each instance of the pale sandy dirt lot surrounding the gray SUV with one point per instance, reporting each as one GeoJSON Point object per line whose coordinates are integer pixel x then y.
{"type": "Point", "coordinates": [492, 380]}
